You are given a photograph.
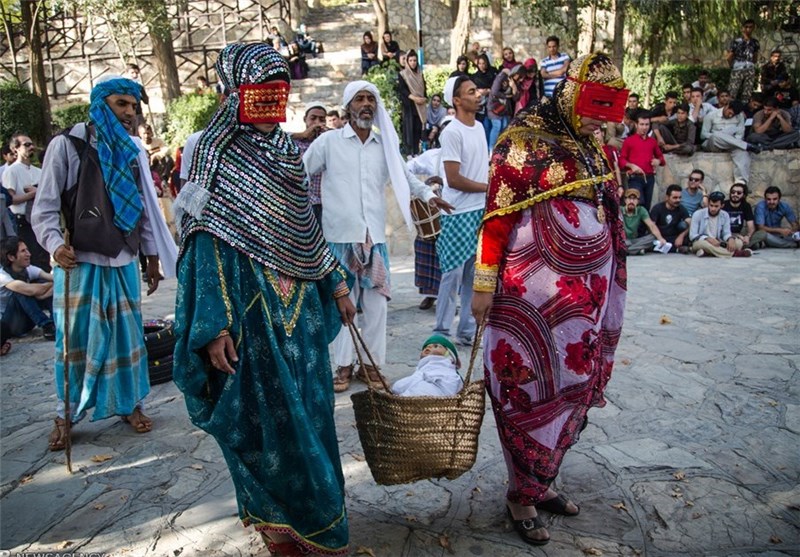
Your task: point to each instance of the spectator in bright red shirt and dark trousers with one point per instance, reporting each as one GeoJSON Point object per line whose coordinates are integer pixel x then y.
{"type": "Point", "coordinates": [639, 155]}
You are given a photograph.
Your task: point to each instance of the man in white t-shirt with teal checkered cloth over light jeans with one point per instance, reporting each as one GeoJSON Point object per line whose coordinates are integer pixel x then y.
{"type": "Point", "coordinates": [465, 162]}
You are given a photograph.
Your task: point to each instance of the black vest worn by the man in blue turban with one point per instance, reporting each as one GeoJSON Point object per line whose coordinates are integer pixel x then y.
{"type": "Point", "coordinates": [87, 209]}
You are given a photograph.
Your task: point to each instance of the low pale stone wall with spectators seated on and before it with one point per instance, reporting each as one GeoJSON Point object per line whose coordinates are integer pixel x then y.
{"type": "Point", "coordinates": [770, 168]}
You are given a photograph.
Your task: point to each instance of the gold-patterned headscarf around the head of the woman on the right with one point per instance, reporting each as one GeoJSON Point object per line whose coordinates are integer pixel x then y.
{"type": "Point", "coordinates": [595, 67]}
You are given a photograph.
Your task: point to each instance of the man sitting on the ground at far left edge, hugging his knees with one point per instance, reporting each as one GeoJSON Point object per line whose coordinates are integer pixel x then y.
{"type": "Point", "coordinates": [26, 292]}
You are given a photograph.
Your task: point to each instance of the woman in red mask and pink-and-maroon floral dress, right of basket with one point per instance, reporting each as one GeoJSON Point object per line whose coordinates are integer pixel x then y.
{"type": "Point", "coordinates": [550, 283]}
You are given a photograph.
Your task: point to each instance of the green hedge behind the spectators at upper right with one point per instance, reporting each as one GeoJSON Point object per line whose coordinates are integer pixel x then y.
{"type": "Point", "coordinates": [669, 77]}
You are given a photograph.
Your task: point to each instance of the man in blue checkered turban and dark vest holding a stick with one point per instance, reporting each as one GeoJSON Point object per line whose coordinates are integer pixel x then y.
{"type": "Point", "coordinates": [98, 176]}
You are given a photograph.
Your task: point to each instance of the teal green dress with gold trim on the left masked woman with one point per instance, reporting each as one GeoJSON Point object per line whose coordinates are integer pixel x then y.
{"type": "Point", "coordinates": [273, 418]}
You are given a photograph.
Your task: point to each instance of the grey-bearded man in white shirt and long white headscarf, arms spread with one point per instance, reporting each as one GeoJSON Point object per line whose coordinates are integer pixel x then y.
{"type": "Point", "coordinates": [356, 163]}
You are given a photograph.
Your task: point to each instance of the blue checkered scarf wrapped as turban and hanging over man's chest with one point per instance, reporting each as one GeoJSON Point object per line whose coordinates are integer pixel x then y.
{"type": "Point", "coordinates": [117, 151]}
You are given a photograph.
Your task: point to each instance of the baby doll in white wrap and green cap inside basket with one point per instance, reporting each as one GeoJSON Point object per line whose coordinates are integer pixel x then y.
{"type": "Point", "coordinates": [436, 373]}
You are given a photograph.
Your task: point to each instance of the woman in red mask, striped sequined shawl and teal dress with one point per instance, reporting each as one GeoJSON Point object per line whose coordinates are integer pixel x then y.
{"type": "Point", "coordinates": [252, 262]}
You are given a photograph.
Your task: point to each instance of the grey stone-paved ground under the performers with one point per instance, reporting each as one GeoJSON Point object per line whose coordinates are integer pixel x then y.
{"type": "Point", "coordinates": [695, 454]}
